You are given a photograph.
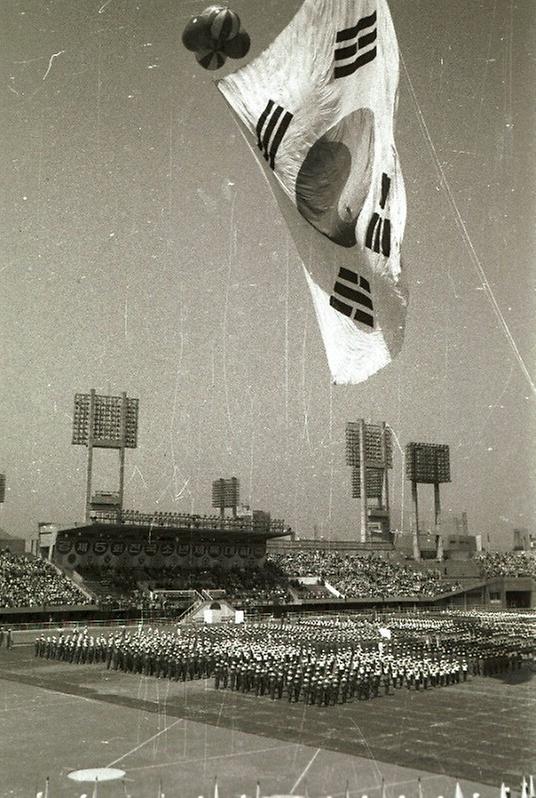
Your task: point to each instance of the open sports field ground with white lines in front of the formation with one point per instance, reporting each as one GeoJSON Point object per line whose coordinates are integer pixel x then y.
{"type": "Point", "coordinates": [57, 717]}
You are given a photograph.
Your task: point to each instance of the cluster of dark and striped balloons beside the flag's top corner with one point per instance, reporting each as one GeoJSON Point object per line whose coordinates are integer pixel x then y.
{"type": "Point", "coordinates": [215, 34]}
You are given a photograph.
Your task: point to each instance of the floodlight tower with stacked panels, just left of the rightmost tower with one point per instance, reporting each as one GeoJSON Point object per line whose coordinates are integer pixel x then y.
{"type": "Point", "coordinates": [369, 451]}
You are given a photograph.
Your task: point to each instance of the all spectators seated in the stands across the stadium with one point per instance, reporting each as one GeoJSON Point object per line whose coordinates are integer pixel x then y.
{"type": "Point", "coordinates": [29, 582]}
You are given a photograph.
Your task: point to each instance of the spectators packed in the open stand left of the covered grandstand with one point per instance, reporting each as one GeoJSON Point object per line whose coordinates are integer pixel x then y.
{"type": "Point", "coordinates": [32, 582]}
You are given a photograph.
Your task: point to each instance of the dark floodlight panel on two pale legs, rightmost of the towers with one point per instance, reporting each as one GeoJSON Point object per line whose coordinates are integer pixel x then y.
{"type": "Point", "coordinates": [426, 463]}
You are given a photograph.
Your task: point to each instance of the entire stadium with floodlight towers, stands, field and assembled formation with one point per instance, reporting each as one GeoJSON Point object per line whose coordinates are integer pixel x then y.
{"type": "Point", "coordinates": [196, 648]}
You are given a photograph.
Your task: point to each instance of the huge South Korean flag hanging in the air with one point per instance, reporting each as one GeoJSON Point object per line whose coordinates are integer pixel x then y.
{"type": "Point", "coordinates": [319, 106]}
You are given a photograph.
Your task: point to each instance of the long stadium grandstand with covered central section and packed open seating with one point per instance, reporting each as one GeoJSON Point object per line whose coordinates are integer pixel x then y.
{"type": "Point", "coordinates": [168, 564]}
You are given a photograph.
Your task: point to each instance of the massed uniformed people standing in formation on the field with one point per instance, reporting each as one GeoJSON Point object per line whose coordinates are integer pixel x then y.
{"type": "Point", "coordinates": [317, 661]}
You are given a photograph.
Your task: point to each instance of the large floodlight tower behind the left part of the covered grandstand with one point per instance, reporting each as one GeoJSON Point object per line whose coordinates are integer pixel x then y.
{"type": "Point", "coordinates": [105, 422]}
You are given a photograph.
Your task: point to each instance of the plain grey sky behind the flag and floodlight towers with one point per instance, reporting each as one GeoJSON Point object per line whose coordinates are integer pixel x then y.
{"type": "Point", "coordinates": [142, 251]}
